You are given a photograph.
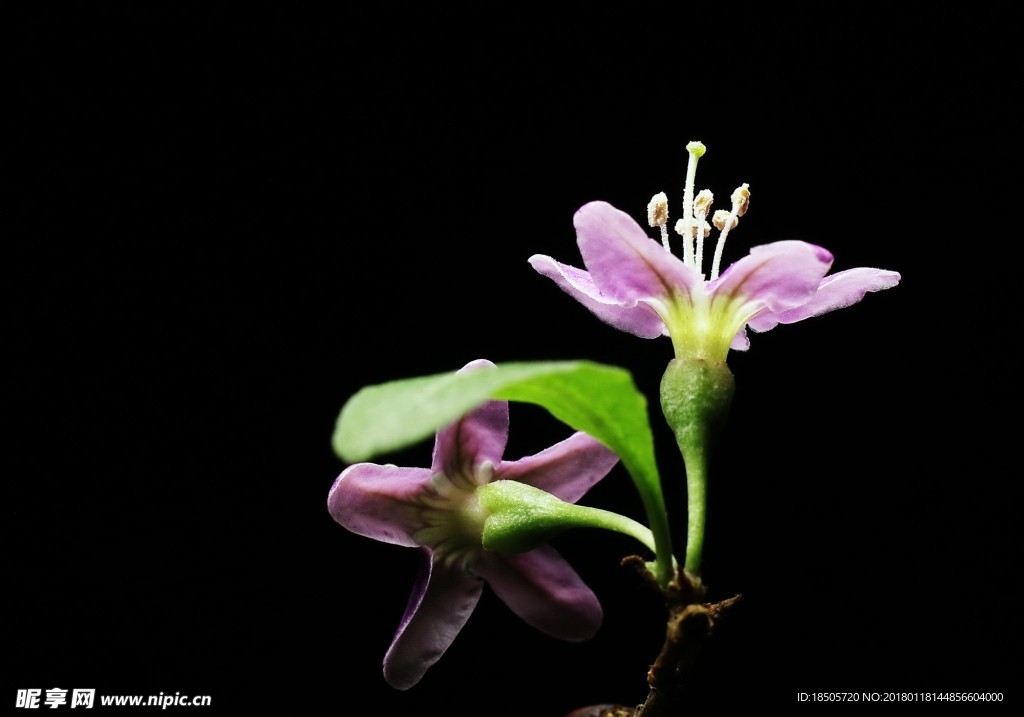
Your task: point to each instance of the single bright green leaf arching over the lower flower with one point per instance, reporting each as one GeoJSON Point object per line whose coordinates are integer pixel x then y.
{"type": "Point", "coordinates": [600, 400]}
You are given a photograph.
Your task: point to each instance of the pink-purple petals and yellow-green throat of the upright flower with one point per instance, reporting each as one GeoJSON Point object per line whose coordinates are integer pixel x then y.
{"type": "Point", "coordinates": [635, 284]}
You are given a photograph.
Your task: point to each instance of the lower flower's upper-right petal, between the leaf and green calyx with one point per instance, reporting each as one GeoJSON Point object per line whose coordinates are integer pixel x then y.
{"type": "Point", "coordinates": [568, 470]}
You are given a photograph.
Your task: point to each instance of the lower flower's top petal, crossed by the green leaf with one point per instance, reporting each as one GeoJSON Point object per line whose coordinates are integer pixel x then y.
{"type": "Point", "coordinates": [478, 437]}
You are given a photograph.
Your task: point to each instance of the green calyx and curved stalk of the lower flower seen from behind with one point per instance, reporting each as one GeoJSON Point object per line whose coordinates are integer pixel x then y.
{"type": "Point", "coordinates": [523, 518]}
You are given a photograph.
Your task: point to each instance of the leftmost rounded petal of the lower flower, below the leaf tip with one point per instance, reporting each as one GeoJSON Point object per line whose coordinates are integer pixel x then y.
{"type": "Point", "coordinates": [377, 501]}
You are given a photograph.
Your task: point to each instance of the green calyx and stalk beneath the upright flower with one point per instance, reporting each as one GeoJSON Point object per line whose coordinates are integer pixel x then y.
{"type": "Point", "coordinates": [697, 395]}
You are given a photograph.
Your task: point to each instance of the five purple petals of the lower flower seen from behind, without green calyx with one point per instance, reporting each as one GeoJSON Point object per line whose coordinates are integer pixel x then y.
{"type": "Point", "coordinates": [437, 511]}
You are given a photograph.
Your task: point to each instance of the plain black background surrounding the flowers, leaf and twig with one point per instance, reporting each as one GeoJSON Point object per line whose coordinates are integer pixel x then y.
{"type": "Point", "coordinates": [223, 221]}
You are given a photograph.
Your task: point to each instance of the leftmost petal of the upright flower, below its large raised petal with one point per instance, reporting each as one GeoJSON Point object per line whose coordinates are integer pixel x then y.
{"type": "Point", "coordinates": [630, 316]}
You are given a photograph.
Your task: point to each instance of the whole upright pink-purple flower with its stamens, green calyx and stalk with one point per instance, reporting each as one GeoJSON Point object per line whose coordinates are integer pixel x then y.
{"type": "Point", "coordinates": [639, 286]}
